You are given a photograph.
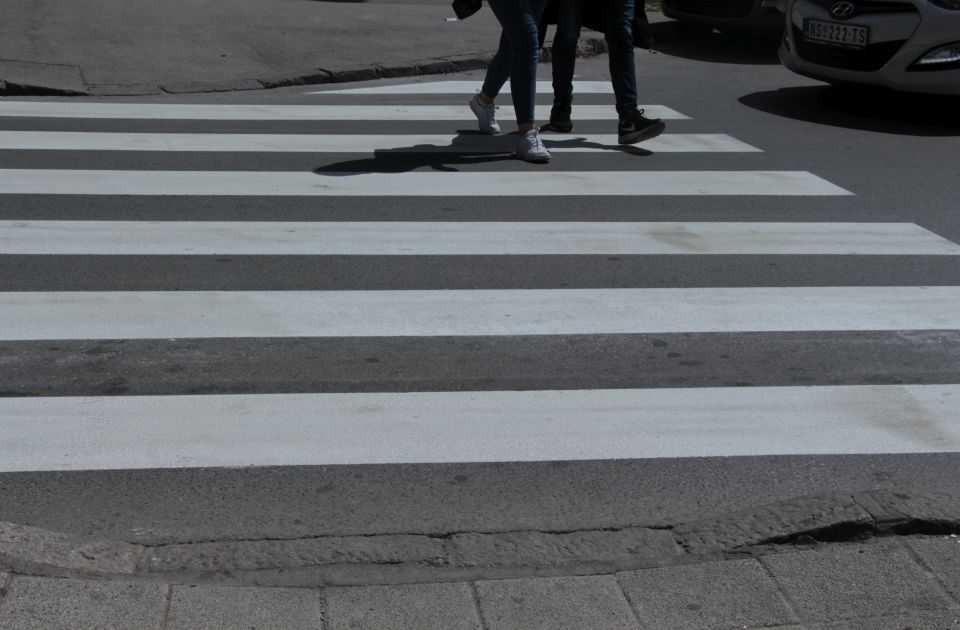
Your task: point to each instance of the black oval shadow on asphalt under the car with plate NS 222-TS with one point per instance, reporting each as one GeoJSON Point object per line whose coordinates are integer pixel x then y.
{"type": "Point", "coordinates": [863, 107]}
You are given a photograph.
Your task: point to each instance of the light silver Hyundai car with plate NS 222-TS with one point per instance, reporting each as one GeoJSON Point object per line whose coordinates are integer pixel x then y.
{"type": "Point", "coordinates": [909, 45]}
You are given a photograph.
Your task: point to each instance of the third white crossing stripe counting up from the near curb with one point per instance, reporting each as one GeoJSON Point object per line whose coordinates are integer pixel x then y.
{"type": "Point", "coordinates": [465, 238]}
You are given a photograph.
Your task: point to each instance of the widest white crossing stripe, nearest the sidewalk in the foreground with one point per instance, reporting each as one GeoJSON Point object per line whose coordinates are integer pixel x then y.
{"type": "Point", "coordinates": [141, 432]}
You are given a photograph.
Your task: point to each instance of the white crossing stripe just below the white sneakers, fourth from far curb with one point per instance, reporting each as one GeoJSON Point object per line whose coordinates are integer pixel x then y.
{"type": "Point", "coordinates": [414, 183]}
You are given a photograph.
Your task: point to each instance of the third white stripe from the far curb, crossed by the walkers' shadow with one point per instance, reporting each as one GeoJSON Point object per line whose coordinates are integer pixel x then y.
{"type": "Point", "coordinates": [327, 143]}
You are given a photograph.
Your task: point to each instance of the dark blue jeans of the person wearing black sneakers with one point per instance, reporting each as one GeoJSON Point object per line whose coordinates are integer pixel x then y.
{"type": "Point", "coordinates": [618, 18]}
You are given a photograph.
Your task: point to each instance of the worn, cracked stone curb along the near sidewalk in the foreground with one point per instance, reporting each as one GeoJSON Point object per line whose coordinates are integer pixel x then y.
{"type": "Point", "coordinates": [395, 559]}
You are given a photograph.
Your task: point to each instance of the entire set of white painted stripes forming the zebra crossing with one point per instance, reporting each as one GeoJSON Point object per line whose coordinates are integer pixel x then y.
{"type": "Point", "coordinates": [85, 433]}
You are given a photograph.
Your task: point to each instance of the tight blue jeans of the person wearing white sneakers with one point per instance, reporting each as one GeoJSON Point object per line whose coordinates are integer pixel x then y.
{"type": "Point", "coordinates": [517, 55]}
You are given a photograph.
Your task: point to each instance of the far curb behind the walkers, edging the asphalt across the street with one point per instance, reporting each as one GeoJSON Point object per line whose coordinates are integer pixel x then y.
{"type": "Point", "coordinates": [71, 84]}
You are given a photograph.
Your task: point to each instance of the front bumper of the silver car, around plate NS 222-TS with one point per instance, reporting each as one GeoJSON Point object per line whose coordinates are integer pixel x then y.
{"type": "Point", "coordinates": [897, 42]}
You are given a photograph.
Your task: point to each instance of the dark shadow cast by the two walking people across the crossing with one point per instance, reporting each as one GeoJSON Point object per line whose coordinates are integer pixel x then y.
{"type": "Point", "coordinates": [466, 148]}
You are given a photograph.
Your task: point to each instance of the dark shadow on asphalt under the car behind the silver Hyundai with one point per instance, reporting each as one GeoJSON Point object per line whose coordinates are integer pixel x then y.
{"type": "Point", "coordinates": [736, 47]}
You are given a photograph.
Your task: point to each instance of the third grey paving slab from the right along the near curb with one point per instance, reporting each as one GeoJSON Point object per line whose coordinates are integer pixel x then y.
{"type": "Point", "coordinates": [736, 593]}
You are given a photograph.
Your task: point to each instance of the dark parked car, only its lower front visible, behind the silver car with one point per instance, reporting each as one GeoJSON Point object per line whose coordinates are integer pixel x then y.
{"type": "Point", "coordinates": [726, 15]}
